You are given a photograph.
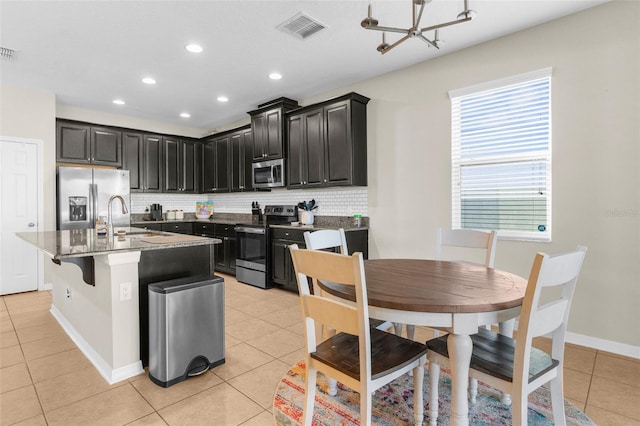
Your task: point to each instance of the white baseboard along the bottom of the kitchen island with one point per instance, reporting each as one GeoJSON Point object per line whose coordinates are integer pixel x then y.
{"type": "Point", "coordinates": [110, 375]}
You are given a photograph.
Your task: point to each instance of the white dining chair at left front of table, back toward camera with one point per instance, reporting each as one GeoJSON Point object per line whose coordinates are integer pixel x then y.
{"type": "Point", "coordinates": [359, 356]}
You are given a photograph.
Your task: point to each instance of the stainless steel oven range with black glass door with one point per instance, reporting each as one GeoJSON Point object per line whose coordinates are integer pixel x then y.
{"type": "Point", "coordinates": [253, 260]}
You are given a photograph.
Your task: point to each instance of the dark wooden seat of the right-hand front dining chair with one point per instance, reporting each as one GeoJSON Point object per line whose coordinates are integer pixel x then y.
{"type": "Point", "coordinates": [494, 353]}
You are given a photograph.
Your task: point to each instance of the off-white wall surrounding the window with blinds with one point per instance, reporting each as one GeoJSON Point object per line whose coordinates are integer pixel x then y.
{"type": "Point", "coordinates": [595, 56]}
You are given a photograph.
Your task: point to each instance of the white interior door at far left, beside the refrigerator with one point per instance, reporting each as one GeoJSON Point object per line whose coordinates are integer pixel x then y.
{"type": "Point", "coordinates": [18, 213]}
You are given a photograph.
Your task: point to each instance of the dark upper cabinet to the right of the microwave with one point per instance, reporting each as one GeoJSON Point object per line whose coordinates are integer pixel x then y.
{"type": "Point", "coordinates": [327, 143]}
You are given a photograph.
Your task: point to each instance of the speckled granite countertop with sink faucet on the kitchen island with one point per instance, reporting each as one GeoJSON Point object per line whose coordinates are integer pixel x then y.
{"type": "Point", "coordinates": [85, 242]}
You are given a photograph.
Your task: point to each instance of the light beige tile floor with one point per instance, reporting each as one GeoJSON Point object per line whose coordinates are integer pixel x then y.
{"type": "Point", "coordinates": [46, 380]}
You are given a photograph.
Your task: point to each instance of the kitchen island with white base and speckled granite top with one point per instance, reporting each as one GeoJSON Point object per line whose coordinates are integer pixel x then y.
{"type": "Point", "coordinates": [99, 288]}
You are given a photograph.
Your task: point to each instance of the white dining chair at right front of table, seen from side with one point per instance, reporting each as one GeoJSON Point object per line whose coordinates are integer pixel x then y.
{"type": "Point", "coordinates": [514, 366]}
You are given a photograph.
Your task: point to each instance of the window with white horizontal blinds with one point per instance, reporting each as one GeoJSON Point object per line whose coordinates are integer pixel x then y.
{"type": "Point", "coordinates": [501, 157]}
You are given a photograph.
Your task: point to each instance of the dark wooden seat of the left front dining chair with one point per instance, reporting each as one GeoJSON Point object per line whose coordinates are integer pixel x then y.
{"type": "Point", "coordinates": [388, 353]}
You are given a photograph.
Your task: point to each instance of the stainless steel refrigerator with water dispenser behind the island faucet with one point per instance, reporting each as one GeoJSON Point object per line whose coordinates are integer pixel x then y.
{"type": "Point", "coordinates": [83, 196]}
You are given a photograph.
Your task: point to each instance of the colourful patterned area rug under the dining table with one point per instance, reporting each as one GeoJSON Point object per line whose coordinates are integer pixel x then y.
{"type": "Point", "coordinates": [393, 404]}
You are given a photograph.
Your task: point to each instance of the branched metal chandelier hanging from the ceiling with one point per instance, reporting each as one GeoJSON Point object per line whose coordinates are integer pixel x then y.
{"type": "Point", "coordinates": [417, 8]}
